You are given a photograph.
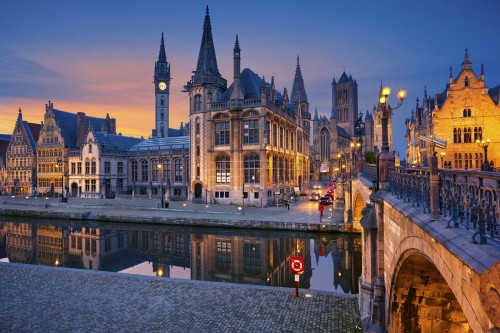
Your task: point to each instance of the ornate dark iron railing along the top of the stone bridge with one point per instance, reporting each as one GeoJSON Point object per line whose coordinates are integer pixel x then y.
{"type": "Point", "coordinates": [470, 199]}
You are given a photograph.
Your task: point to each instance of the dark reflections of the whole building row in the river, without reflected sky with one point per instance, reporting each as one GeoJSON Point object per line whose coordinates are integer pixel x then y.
{"type": "Point", "coordinates": [210, 257]}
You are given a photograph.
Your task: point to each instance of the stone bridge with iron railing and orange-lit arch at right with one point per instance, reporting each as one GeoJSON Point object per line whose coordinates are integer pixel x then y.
{"type": "Point", "coordinates": [429, 266]}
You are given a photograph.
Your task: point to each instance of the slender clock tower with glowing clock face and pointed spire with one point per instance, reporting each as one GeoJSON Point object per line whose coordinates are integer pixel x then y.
{"type": "Point", "coordinates": [162, 92]}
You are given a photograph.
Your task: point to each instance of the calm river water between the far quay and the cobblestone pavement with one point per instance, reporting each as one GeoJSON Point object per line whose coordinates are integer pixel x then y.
{"type": "Point", "coordinates": [332, 261]}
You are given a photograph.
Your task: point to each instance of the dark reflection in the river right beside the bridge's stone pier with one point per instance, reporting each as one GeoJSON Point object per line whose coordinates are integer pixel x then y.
{"type": "Point", "coordinates": [346, 256]}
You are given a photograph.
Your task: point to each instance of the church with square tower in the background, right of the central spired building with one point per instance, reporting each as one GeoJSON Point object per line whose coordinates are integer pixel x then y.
{"type": "Point", "coordinates": [332, 138]}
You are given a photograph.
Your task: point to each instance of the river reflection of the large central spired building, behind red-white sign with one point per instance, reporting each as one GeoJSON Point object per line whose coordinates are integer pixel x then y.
{"type": "Point", "coordinates": [249, 260]}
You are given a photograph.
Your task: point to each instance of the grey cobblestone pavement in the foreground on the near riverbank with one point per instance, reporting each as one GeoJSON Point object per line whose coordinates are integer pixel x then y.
{"type": "Point", "coordinates": [48, 299]}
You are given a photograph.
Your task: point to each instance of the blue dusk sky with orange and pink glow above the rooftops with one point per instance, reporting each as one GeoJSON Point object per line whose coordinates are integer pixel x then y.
{"type": "Point", "coordinates": [98, 56]}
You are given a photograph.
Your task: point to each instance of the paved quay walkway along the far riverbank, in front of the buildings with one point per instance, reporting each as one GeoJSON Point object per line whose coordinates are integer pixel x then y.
{"type": "Point", "coordinates": [302, 215]}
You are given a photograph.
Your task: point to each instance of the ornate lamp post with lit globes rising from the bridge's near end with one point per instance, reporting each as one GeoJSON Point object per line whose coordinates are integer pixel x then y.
{"type": "Point", "coordinates": [385, 158]}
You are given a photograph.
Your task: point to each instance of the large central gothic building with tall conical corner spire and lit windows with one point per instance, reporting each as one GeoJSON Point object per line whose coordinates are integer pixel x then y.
{"type": "Point", "coordinates": [249, 143]}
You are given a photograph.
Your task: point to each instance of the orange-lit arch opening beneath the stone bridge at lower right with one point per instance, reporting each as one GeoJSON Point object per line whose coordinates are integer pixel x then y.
{"type": "Point", "coordinates": [447, 272]}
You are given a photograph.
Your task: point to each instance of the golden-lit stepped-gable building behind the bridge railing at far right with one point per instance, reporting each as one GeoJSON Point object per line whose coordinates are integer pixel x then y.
{"type": "Point", "coordinates": [464, 112]}
